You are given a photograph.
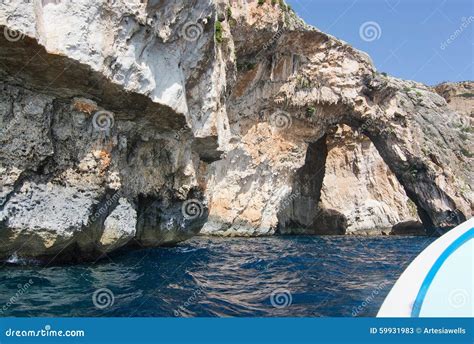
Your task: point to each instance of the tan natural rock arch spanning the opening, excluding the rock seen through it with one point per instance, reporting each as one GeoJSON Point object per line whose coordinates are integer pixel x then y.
{"type": "Point", "coordinates": [319, 82]}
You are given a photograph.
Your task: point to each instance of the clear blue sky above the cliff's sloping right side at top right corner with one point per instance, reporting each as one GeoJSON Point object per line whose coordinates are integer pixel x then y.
{"type": "Point", "coordinates": [429, 41]}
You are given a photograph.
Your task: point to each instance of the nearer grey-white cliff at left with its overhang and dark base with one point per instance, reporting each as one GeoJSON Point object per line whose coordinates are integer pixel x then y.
{"type": "Point", "coordinates": [95, 119]}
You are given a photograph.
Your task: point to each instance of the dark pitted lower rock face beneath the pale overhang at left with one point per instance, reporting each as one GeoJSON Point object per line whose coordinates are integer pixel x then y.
{"type": "Point", "coordinates": [69, 185]}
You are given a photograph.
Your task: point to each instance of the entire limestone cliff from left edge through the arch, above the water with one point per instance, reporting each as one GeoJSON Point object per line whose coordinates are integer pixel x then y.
{"type": "Point", "coordinates": [139, 122]}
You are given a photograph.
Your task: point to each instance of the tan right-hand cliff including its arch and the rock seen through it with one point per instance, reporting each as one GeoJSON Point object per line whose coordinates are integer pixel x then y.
{"type": "Point", "coordinates": [292, 85]}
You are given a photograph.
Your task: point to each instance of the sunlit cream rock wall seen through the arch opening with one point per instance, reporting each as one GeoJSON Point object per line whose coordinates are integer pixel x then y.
{"type": "Point", "coordinates": [359, 185]}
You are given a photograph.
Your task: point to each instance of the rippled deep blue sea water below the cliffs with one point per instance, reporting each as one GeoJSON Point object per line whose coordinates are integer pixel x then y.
{"type": "Point", "coordinates": [275, 276]}
